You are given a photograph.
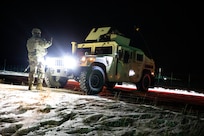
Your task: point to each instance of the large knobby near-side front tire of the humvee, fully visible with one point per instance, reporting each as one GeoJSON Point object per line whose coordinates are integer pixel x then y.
{"type": "Point", "coordinates": [92, 80]}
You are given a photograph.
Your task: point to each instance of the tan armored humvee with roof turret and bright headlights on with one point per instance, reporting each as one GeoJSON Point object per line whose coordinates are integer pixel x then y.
{"type": "Point", "coordinates": [105, 59]}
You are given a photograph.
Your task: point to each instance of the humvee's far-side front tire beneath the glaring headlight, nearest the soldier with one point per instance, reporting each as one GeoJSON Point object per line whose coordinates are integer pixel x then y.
{"type": "Point", "coordinates": [54, 81]}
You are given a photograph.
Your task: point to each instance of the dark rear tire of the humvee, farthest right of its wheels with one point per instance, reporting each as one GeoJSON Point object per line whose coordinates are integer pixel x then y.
{"type": "Point", "coordinates": [144, 83]}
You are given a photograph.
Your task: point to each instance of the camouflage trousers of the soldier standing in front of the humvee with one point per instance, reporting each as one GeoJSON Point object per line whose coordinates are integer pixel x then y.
{"type": "Point", "coordinates": [37, 69]}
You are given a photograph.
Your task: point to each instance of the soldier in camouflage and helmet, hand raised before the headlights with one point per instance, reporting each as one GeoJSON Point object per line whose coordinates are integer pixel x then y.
{"type": "Point", "coordinates": [37, 49]}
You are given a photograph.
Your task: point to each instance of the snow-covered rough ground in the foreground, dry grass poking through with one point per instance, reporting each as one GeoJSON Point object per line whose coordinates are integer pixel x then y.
{"type": "Point", "coordinates": [51, 113]}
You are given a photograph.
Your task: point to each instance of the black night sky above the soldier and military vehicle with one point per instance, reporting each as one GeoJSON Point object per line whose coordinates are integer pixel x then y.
{"type": "Point", "coordinates": [171, 31]}
